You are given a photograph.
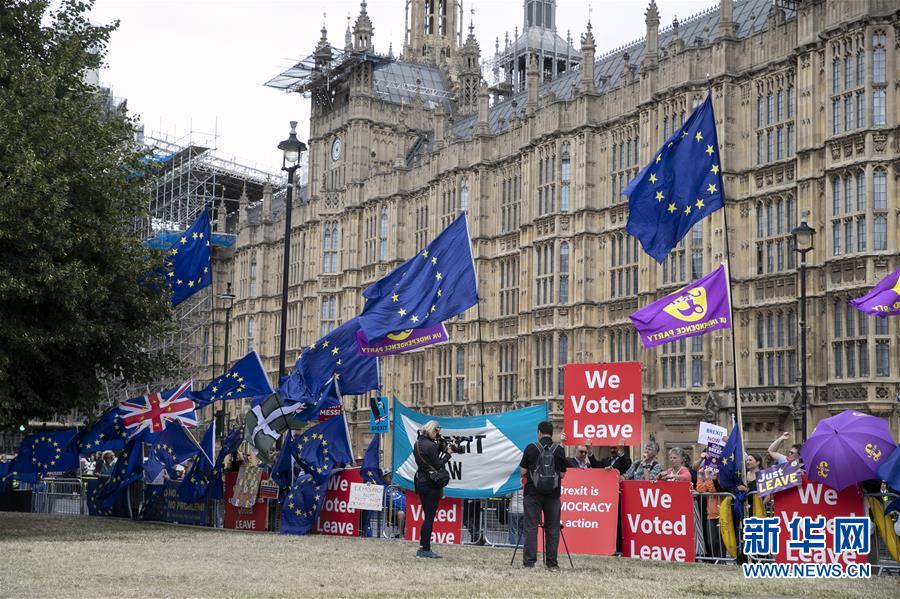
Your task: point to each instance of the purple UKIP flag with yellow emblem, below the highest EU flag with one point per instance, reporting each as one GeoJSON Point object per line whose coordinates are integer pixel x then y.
{"type": "Point", "coordinates": [694, 310]}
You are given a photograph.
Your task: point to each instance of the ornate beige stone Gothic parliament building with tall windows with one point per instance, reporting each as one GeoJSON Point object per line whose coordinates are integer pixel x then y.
{"type": "Point", "coordinates": [806, 101]}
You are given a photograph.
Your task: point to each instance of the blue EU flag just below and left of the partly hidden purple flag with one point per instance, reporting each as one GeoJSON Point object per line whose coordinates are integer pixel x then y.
{"type": "Point", "coordinates": [333, 356]}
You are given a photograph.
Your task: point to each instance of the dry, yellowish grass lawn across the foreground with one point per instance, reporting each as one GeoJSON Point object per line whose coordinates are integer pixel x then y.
{"type": "Point", "coordinates": [69, 556]}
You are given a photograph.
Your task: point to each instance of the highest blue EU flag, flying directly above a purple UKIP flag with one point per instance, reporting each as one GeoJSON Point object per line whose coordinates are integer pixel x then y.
{"type": "Point", "coordinates": [680, 186]}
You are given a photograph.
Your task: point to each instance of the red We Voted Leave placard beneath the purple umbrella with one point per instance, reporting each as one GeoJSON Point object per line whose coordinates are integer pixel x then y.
{"type": "Point", "coordinates": [815, 499]}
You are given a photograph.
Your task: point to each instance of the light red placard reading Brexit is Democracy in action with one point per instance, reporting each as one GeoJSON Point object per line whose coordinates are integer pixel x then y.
{"type": "Point", "coordinates": [590, 508]}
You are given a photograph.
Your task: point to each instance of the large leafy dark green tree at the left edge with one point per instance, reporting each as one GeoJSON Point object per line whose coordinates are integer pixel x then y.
{"type": "Point", "coordinates": [76, 301]}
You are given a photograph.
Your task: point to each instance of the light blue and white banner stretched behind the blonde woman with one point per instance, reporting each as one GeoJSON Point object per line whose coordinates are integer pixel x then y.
{"type": "Point", "coordinates": [491, 448]}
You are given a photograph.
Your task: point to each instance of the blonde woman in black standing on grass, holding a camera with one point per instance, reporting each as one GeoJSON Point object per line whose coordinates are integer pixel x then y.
{"type": "Point", "coordinates": [432, 452]}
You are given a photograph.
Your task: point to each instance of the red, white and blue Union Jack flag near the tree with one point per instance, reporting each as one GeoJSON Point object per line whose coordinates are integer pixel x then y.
{"type": "Point", "coordinates": [149, 415]}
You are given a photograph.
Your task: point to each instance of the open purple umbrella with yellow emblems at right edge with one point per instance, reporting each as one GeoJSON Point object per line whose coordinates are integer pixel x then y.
{"type": "Point", "coordinates": [847, 448]}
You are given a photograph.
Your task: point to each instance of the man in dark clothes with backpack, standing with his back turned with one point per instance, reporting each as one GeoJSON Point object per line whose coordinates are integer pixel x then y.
{"type": "Point", "coordinates": [537, 503]}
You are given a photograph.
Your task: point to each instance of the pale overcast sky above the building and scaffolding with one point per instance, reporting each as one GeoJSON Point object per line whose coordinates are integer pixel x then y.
{"type": "Point", "coordinates": [200, 65]}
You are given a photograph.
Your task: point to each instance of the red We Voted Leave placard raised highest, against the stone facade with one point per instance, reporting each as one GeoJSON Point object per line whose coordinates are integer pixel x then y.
{"type": "Point", "coordinates": [602, 403]}
